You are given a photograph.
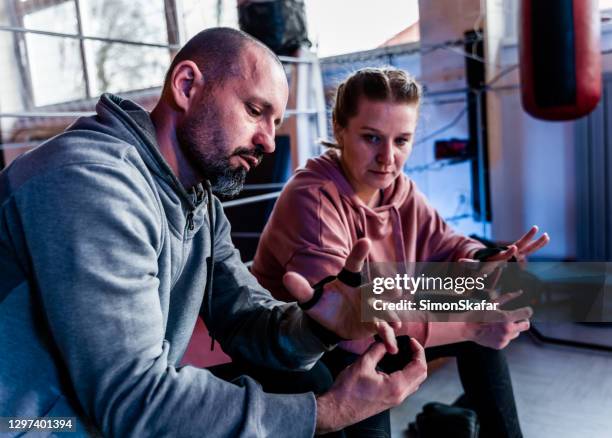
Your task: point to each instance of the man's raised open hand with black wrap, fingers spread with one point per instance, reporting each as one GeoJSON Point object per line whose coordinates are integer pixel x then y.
{"type": "Point", "coordinates": [339, 308]}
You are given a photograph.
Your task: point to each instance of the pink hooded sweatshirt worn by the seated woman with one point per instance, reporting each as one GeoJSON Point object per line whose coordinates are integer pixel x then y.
{"type": "Point", "coordinates": [318, 218]}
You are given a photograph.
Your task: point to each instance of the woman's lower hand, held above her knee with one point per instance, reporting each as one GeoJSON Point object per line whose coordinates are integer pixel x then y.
{"type": "Point", "coordinates": [499, 334]}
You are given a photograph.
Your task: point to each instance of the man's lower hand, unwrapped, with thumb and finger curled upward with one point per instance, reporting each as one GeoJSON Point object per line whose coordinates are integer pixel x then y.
{"type": "Point", "coordinates": [361, 391]}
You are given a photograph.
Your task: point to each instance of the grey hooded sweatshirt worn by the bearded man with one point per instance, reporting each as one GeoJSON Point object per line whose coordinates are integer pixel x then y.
{"type": "Point", "coordinates": [103, 267]}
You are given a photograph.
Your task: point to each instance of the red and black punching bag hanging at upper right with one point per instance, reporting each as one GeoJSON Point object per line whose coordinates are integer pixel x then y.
{"type": "Point", "coordinates": [560, 59]}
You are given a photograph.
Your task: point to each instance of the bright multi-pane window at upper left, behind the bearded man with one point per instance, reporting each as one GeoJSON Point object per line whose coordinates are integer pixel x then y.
{"type": "Point", "coordinates": [63, 68]}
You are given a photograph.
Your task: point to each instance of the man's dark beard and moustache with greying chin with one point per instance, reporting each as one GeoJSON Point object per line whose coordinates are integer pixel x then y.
{"type": "Point", "coordinates": [203, 141]}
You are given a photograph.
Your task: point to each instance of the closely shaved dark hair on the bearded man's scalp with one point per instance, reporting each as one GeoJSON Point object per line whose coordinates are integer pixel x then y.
{"type": "Point", "coordinates": [217, 53]}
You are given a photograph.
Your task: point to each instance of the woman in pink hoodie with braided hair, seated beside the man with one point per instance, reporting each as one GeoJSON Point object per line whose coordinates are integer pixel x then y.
{"type": "Point", "coordinates": [357, 189]}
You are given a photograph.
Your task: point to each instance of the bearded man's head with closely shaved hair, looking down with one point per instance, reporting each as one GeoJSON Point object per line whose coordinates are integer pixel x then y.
{"type": "Point", "coordinates": [224, 95]}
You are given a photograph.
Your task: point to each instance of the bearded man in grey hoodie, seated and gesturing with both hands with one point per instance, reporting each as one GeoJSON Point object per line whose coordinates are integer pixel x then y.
{"type": "Point", "coordinates": [111, 244]}
